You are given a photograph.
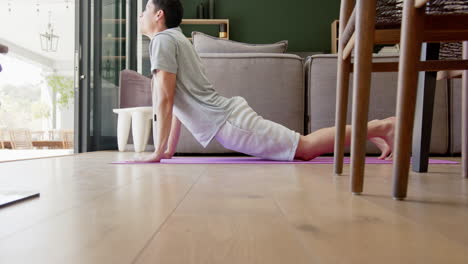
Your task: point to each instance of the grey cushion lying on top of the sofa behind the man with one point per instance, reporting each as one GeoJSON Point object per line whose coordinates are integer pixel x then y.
{"type": "Point", "coordinates": [204, 43]}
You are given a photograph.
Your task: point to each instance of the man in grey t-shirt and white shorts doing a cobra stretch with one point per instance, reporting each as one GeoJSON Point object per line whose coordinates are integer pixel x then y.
{"type": "Point", "coordinates": [182, 93]}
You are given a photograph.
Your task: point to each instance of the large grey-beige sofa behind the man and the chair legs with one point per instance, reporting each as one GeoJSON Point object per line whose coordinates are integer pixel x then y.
{"type": "Point", "coordinates": [300, 94]}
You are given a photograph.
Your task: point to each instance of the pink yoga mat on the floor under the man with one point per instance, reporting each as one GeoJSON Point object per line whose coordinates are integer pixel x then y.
{"type": "Point", "coordinates": [254, 160]}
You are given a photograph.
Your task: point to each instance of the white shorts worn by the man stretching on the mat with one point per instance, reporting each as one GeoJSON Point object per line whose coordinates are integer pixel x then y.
{"type": "Point", "coordinates": [247, 132]}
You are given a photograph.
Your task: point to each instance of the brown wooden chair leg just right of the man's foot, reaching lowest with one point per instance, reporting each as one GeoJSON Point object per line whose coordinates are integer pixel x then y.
{"type": "Point", "coordinates": [406, 97]}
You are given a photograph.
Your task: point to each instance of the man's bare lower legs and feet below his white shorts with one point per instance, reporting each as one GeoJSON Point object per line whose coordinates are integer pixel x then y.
{"type": "Point", "coordinates": [379, 132]}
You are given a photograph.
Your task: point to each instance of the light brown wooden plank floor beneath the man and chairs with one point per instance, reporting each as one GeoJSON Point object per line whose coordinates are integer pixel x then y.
{"type": "Point", "coordinates": [93, 212]}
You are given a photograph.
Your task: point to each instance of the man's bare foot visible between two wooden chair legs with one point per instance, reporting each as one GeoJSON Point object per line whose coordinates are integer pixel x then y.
{"type": "Point", "coordinates": [385, 141]}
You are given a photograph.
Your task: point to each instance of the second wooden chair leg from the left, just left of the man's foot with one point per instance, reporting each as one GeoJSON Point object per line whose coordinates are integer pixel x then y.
{"type": "Point", "coordinates": [365, 26]}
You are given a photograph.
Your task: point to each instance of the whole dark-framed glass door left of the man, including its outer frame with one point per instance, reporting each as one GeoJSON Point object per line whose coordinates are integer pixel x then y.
{"type": "Point", "coordinates": [103, 49]}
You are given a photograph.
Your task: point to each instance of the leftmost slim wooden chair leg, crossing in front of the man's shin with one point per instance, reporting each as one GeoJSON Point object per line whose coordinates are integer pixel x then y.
{"type": "Point", "coordinates": [342, 88]}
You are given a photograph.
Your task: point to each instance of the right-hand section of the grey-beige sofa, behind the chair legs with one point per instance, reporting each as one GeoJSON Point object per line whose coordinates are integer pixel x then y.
{"type": "Point", "coordinates": [321, 83]}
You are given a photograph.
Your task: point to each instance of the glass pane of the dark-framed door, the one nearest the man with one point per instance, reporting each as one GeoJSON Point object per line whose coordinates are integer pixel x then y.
{"type": "Point", "coordinates": [110, 57]}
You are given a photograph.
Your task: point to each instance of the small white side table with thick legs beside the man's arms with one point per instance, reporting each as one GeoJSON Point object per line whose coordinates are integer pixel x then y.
{"type": "Point", "coordinates": [140, 118]}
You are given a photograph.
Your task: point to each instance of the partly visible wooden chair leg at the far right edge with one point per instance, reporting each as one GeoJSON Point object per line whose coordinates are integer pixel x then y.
{"type": "Point", "coordinates": [465, 115]}
